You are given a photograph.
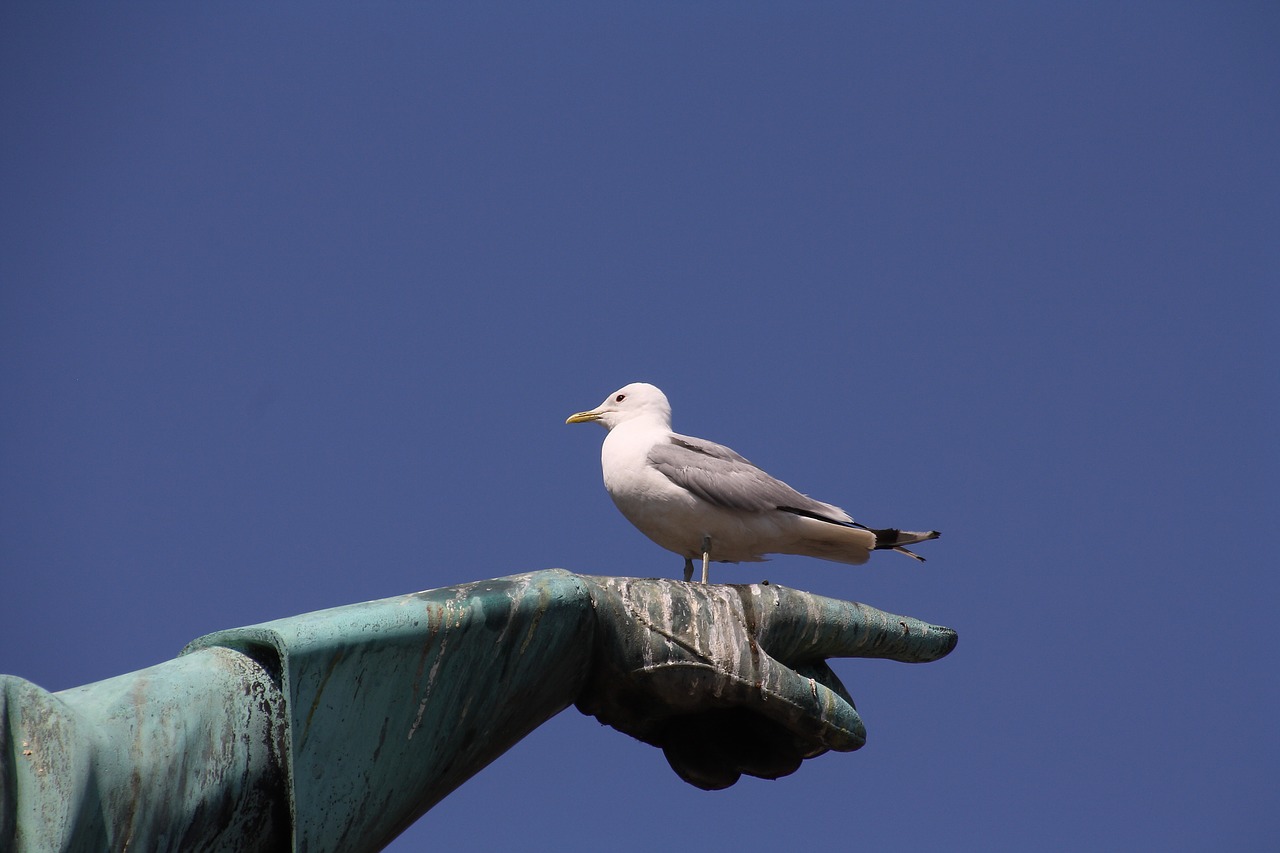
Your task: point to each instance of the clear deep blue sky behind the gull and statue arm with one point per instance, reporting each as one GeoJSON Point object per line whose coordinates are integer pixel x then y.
{"type": "Point", "coordinates": [296, 302]}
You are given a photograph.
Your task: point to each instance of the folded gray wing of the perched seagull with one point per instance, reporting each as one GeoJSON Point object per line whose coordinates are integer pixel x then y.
{"type": "Point", "coordinates": [720, 476]}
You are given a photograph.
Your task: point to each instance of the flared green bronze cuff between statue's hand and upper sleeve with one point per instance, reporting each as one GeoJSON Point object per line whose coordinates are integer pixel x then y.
{"type": "Point", "coordinates": [394, 704]}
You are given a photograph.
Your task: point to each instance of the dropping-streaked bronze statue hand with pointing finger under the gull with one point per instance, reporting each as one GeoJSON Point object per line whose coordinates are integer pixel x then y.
{"type": "Point", "coordinates": [733, 679]}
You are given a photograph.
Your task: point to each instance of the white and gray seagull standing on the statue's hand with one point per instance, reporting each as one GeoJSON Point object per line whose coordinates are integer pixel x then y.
{"type": "Point", "coordinates": [701, 499]}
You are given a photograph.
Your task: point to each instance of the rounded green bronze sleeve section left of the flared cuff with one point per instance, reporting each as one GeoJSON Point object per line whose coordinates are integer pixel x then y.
{"type": "Point", "coordinates": [184, 756]}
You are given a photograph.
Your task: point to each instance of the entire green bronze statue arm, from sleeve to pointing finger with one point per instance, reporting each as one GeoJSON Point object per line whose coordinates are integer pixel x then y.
{"type": "Point", "coordinates": [336, 731]}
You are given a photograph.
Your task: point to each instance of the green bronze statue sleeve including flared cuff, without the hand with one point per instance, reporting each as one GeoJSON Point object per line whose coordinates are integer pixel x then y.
{"type": "Point", "coordinates": [348, 724]}
